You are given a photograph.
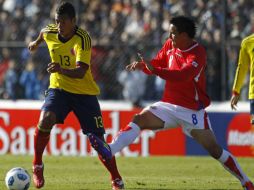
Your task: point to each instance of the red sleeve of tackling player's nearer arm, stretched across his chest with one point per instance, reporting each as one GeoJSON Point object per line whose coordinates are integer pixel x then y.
{"type": "Point", "coordinates": [194, 65]}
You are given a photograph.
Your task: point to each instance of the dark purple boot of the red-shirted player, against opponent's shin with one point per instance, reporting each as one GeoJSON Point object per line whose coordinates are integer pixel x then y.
{"type": "Point", "coordinates": [100, 146]}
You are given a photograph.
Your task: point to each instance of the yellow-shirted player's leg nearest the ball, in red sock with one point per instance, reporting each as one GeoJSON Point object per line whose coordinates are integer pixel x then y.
{"type": "Point", "coordinates": [54, 110]}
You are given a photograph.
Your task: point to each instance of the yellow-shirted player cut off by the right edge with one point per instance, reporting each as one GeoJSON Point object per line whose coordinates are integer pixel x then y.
{"type": "Point", "coordinates": [245, 64]}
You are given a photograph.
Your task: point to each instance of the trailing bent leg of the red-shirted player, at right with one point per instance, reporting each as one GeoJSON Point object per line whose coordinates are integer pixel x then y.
{"type": "Point", "coordinates": [207, 139]}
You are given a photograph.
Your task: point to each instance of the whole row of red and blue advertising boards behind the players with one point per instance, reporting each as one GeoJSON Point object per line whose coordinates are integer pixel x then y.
{"type": "Point", "coordinates": [233, 131]}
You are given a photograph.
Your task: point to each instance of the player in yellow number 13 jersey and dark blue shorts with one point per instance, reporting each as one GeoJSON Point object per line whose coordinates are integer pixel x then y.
{"type": "Point", "coordinates": [72, 88]}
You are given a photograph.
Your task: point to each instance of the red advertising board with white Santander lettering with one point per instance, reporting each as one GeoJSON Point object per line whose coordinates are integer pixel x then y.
{"type": "Point", "coordinates": [17, 129]}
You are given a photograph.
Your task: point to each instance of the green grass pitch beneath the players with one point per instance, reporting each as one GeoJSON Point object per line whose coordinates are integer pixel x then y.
{"type": "Point", "coordinates": [151, 173]}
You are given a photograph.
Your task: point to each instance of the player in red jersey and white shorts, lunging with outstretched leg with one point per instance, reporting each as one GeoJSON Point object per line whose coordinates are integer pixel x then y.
{"type": "Point", "coordinates": [181, 62]}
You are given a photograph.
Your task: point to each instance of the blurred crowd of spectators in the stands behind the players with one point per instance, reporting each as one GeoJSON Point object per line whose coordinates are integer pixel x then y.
{"type": "Point", "coordinates": [119, 29]}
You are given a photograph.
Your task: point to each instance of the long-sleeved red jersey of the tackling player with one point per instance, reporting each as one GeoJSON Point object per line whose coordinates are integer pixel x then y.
{"type": "Point", "coordinates": [184, 72]}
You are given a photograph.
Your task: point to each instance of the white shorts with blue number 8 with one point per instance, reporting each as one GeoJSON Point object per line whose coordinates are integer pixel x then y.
{"type": "Point", "coordinates": [174, 115]}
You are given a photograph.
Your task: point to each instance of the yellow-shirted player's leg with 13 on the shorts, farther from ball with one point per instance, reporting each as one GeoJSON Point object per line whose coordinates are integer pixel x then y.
{"type": "Point", "coordinates": [88, 112]}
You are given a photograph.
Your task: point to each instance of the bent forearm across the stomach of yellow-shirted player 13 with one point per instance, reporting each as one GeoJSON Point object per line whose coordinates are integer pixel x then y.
{"type": "Point", "coordinates": [78, 72]}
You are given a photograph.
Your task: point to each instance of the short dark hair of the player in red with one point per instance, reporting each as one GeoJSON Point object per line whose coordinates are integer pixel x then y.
{"type": "Point", "coordinates": [184, 24]}
